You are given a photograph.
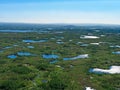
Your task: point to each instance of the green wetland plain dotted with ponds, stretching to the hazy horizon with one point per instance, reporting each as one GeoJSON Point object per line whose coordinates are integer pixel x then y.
{"type": "Point", "coordinates": [55, 57]}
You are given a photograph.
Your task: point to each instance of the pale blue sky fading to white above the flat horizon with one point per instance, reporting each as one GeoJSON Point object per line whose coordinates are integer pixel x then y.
{"type": "Point", "coordinates": [60, 11]}
